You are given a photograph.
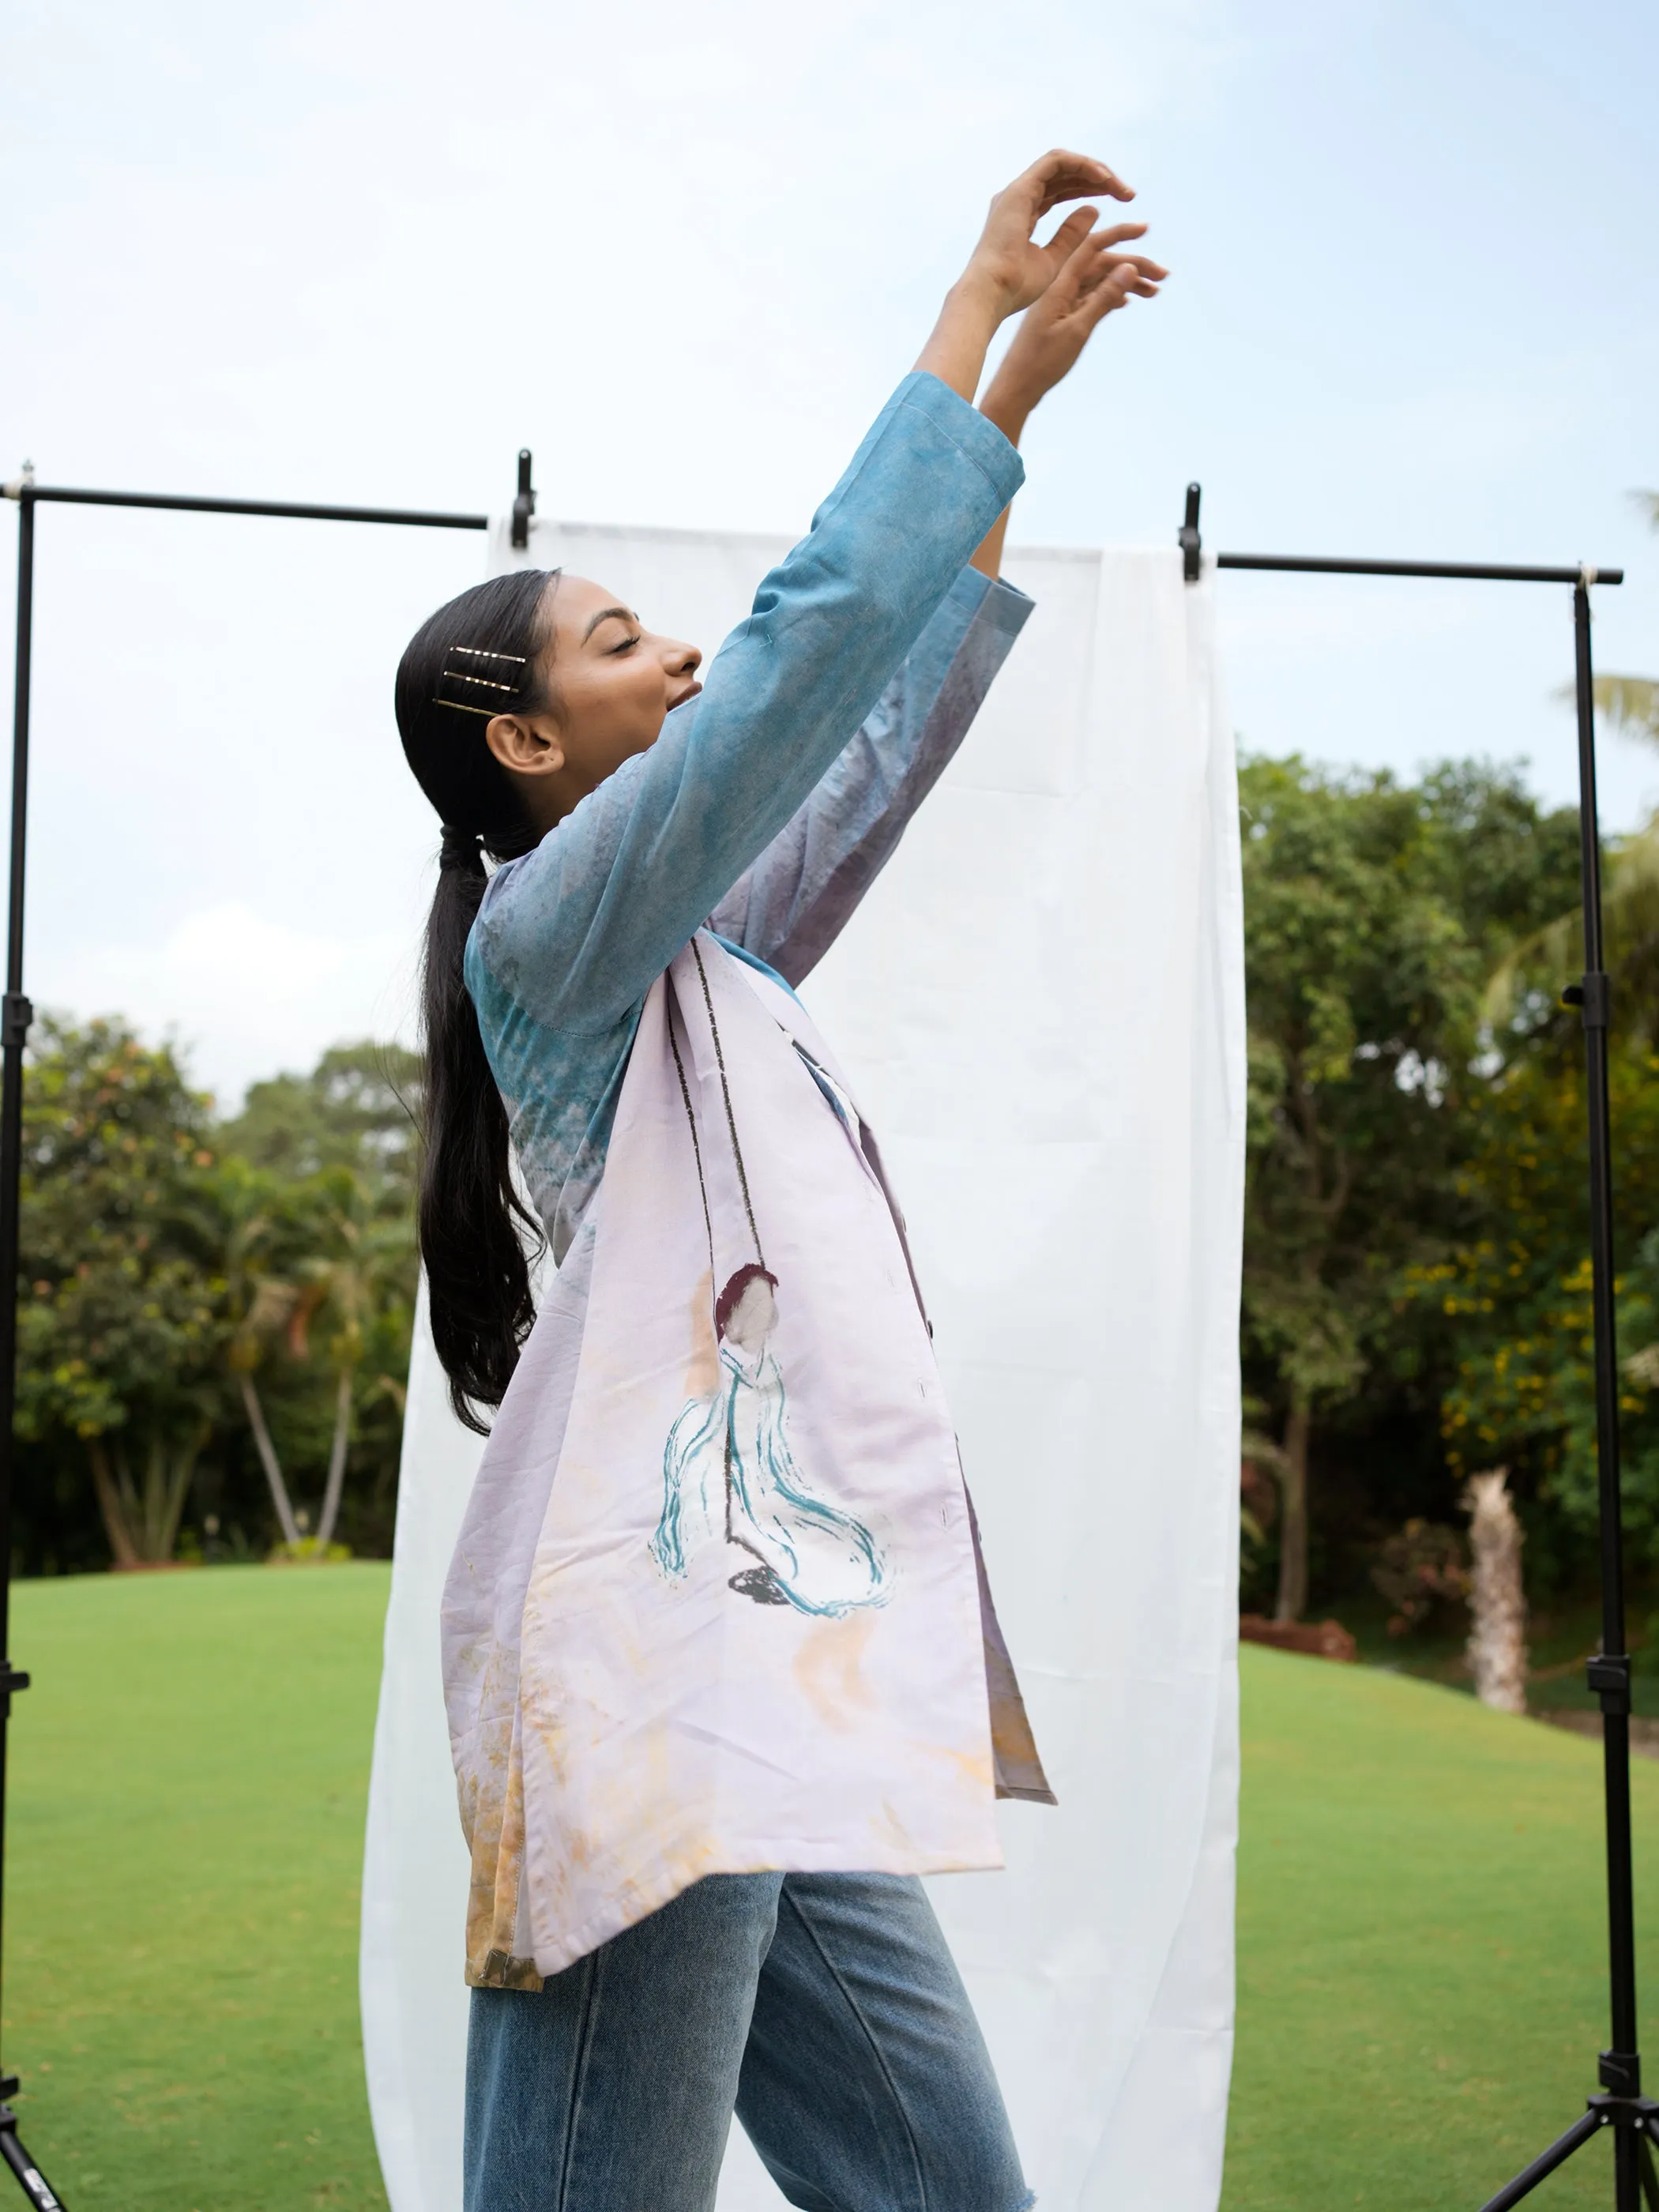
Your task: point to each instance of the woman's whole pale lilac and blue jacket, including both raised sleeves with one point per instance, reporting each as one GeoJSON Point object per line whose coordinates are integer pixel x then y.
{"type": "Point", "coordinates": [718, 1598]}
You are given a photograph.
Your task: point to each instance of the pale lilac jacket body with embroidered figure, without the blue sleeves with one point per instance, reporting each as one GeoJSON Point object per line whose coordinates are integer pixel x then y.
{"type": "Point", "coordinates": [797, 1676]}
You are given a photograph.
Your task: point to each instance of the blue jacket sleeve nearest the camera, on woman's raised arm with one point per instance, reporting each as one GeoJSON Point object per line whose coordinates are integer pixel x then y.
{"type": "Point", "coordinates": [574, 935]}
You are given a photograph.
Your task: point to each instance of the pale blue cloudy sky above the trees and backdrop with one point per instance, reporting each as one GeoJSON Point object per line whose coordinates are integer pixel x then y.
{"type": "Point", "coordinates": [362, 253]}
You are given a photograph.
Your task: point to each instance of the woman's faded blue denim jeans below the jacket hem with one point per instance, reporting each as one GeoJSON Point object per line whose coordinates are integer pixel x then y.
{"type": "Point", "coordinates": [824, 2010]}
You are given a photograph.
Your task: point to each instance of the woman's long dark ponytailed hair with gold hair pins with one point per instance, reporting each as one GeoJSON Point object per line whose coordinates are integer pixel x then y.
{"type": "Point", "coordinates": [474, 1229]}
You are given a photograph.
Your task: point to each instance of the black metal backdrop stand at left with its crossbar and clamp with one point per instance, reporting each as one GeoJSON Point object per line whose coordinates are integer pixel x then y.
{"type": "Point", "coordinates": [17, 1014]}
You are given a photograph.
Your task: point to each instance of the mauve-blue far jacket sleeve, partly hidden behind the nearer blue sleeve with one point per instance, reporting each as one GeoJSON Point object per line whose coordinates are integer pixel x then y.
{"type": "Point", "coordinates": [795, 901]}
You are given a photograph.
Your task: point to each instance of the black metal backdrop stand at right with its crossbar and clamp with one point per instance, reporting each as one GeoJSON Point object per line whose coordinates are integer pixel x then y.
{"type": "Point", "coordinates": [1620, 2107]}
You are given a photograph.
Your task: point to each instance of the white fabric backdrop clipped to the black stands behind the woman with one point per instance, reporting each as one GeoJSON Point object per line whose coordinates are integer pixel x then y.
{"type": "Point", "coordinates": [1041, 1008]}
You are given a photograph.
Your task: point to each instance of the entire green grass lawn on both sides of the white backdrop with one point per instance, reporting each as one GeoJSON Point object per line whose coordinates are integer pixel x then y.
{"type": "Point", "coordinates": [1419, 1919]}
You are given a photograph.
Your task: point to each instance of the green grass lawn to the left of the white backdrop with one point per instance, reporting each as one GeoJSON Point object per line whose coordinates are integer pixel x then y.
{"type": "Point", "coordinates": [182, 1890]}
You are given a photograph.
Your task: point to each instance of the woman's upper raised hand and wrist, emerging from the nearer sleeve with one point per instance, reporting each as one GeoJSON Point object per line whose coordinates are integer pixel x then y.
{"type": "Point", "coordinates": [1008, 271]}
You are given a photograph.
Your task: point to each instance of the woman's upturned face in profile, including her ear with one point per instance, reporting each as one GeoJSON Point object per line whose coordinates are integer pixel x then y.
{"type": "Point", "coordinates": [614, 687]}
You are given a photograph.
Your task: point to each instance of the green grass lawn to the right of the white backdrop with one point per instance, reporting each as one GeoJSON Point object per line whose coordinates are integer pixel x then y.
{"type": "Point", "coordinates": [1421, 1943]}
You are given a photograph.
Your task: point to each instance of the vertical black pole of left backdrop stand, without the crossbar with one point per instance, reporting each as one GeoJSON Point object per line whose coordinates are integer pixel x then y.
{"type": "Point", "coordinates": [14, 1034]}
